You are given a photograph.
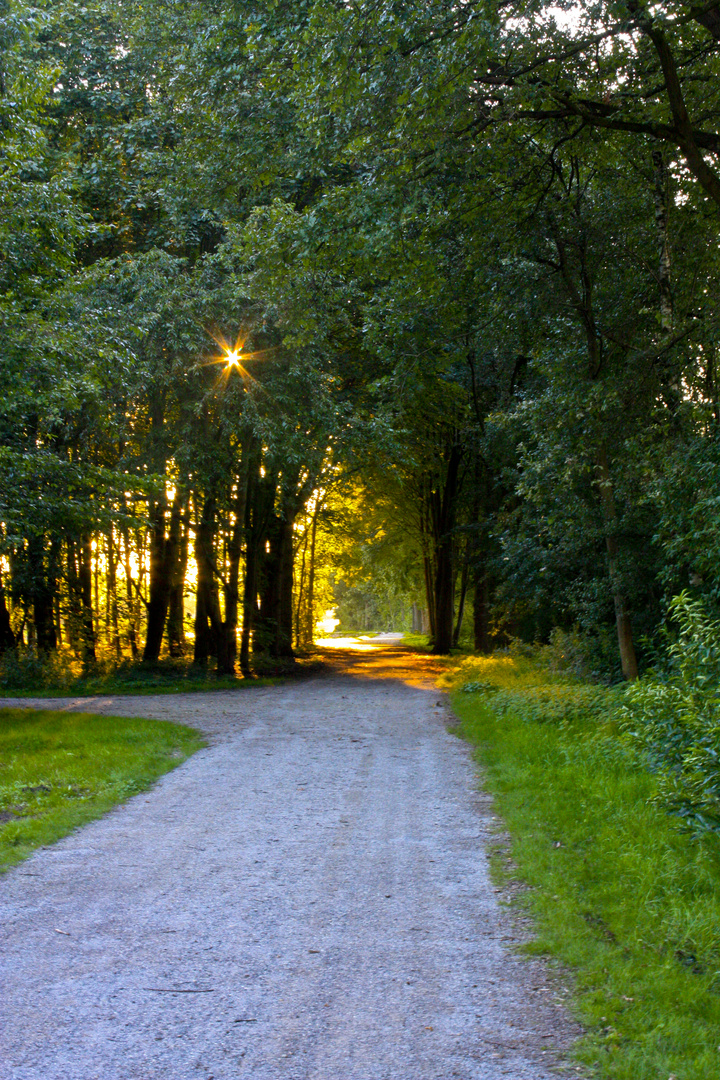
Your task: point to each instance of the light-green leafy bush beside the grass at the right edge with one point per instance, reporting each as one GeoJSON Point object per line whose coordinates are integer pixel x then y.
{"type": "Point", "coordinates": [674, 717]}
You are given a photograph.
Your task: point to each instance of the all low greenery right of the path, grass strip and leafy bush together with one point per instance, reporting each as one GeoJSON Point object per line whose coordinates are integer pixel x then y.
{"type": "Point", "coordinates": [610, 799]}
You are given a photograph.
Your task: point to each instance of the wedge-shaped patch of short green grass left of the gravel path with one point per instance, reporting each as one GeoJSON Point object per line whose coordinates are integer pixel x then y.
{"type": "Point", "coordinates": [61, 771]}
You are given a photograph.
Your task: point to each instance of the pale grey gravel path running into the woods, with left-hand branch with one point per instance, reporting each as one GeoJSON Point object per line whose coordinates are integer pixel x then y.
{"type": "Point", "coordinates": [306, 899]}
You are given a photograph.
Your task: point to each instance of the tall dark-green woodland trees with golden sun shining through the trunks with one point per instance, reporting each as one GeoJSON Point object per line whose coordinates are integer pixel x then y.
{"type": "Point", "coordinates": [309, 304]}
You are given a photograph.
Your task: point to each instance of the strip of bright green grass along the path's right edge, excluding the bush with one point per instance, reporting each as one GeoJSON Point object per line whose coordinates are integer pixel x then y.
{"type": "Point", "coordinates": [617, 890]}
